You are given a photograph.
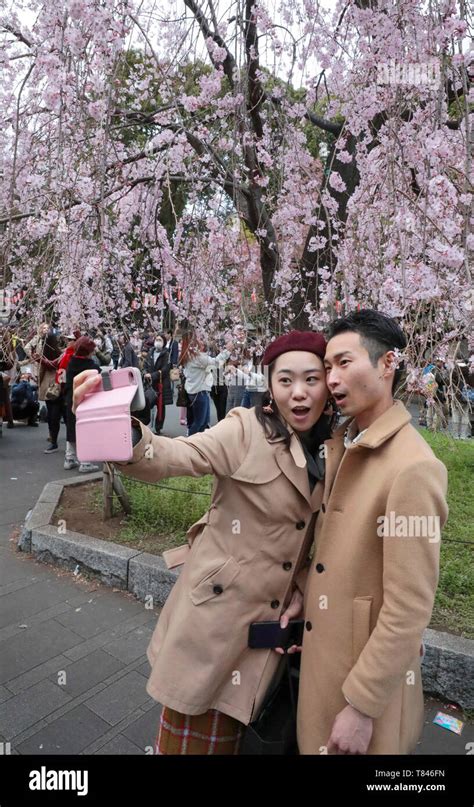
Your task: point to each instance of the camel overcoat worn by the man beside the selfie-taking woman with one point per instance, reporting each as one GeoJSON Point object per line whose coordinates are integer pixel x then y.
{"type": "Point", "coordinates": [369, 596]}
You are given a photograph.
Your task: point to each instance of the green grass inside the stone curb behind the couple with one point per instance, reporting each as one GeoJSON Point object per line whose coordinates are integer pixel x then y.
{"type": "Point", "coordinates": [161, 517]}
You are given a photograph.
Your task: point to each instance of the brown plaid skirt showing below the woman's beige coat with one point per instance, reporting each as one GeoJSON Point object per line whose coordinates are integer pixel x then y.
{"type": "Point", "coordinates": [210, 733]}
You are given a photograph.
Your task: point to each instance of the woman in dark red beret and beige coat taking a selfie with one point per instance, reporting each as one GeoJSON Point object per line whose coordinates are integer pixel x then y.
{"type": "Point", "coordinates": [246, 559]}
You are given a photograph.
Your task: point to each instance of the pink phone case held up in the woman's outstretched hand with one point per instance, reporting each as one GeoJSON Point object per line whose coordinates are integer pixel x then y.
{"type": "Point", "coordinates": [103, 427]}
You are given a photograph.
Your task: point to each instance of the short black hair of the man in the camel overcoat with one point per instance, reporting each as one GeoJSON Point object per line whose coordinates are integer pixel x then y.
{"type": "Point", "coordinates": [378, 334]}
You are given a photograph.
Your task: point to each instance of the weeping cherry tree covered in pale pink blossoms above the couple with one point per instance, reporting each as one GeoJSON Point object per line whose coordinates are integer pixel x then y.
{"type": "Point", "coordinates": [318, 158]}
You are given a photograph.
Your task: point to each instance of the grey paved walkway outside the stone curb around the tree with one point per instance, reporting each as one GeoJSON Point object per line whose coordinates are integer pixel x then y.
{"type": "Point", "coordinates": [73, 667]}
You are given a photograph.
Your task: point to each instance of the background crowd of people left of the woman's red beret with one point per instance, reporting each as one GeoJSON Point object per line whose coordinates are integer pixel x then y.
{"type": "Point", "coordinates": [37, 377]}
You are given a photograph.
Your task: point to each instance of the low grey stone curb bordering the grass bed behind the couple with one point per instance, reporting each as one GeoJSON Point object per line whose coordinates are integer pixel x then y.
{"type": "Point", "coordinates": [448, 663]}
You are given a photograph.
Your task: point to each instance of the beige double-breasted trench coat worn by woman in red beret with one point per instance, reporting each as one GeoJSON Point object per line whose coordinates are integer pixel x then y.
{"type": "Point", "coordinates": [243, 559]}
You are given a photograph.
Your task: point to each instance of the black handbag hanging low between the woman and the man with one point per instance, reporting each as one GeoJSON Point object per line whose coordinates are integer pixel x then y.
{"type": "Point", "coordinates": [274, 730]}
